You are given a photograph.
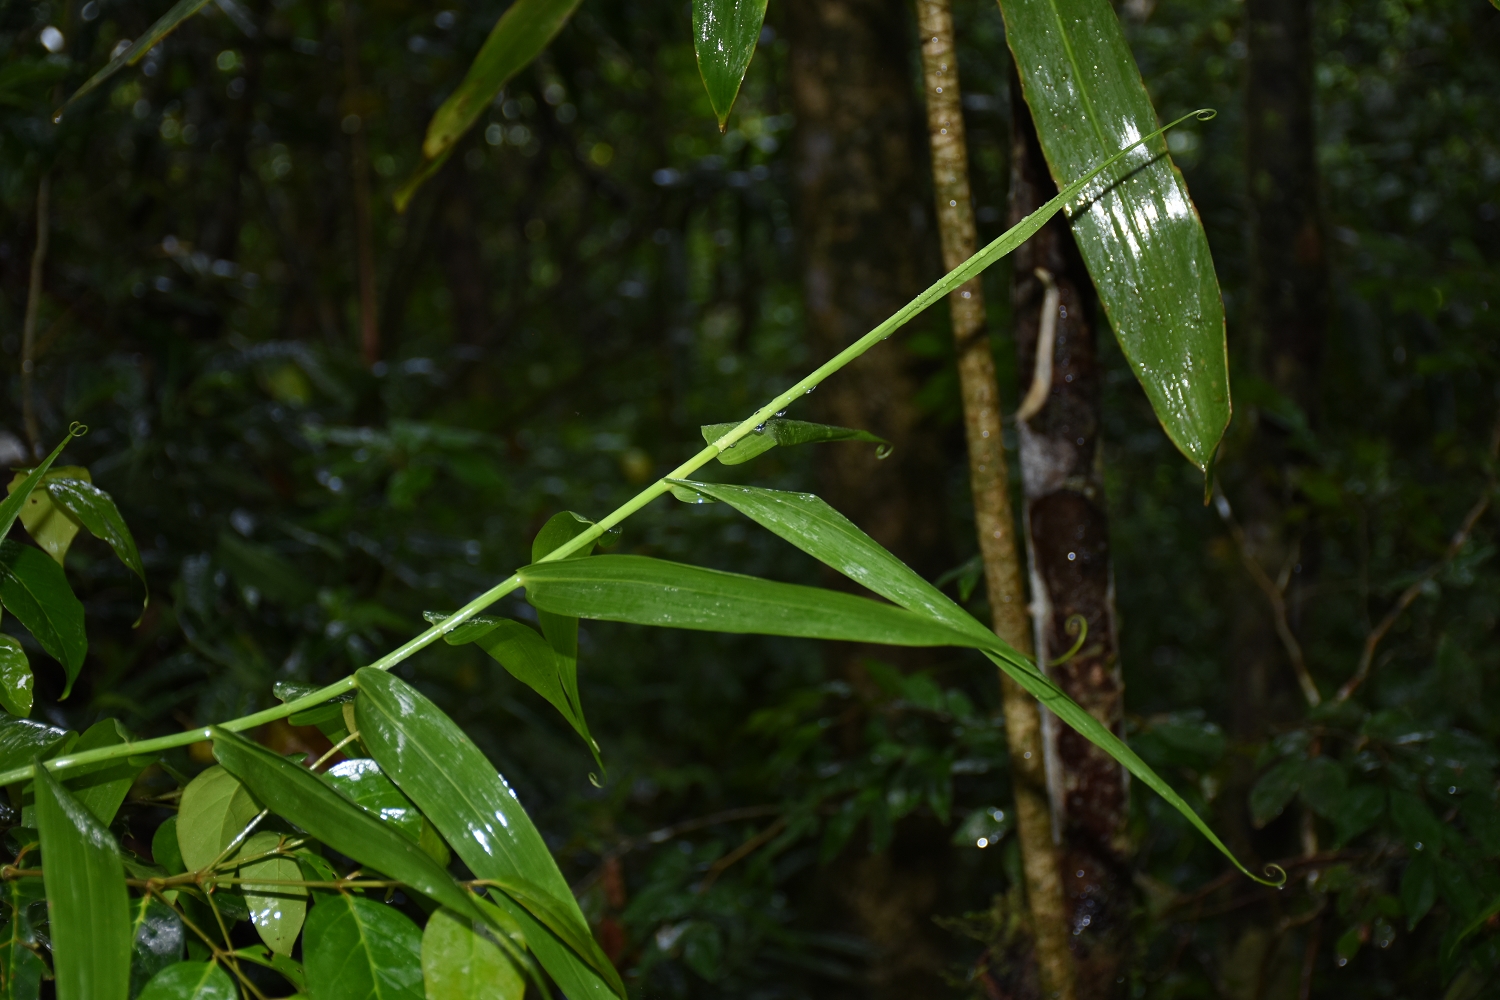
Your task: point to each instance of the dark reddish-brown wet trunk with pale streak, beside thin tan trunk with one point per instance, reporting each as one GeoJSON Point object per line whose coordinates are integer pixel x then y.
{"type": "Point", "coordinates": [1069, 549]}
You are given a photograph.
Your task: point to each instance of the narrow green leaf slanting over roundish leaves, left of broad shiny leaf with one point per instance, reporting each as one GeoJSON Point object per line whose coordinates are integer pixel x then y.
{"type": "Point", "coordinates": [302, 798]}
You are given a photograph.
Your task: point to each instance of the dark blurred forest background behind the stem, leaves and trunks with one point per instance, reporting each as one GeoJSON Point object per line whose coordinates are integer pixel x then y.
{"type": "Point", "coordinates": [310, 463]}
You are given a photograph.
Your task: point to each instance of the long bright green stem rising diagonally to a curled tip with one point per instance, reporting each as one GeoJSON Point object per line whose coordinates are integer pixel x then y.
{"type": "Point", "coordinates": [952, 281]}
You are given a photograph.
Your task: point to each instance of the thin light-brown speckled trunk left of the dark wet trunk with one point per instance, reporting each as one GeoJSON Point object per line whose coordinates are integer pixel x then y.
{"type": "Point", "coordinates": [995, 521]}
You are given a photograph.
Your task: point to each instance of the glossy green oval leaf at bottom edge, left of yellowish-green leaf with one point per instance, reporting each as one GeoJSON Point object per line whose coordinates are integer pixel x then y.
{"type": "Point", "coordinates": [361, 950]}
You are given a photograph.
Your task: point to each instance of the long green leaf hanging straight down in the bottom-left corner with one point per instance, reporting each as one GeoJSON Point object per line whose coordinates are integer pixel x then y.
{"type": "Point", "coordinates": [88, 905]}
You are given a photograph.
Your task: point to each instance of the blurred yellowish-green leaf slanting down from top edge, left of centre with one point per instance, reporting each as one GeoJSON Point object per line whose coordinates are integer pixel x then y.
{"type": "Point", "coordinates": [520, 35]}
